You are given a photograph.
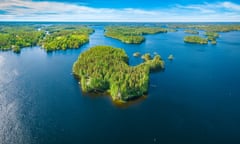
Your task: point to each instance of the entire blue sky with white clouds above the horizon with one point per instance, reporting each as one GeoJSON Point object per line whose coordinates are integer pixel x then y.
{"type": "Point", "coordinates": [121, 10]}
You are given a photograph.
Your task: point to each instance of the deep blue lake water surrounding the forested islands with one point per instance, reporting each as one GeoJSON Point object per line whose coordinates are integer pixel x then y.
{"type": "Point", "coordinates": [194, 101]}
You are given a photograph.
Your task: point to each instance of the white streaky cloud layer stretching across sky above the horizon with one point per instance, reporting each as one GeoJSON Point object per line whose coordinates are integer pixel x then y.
{"type": "Point", "coordinates": [27, 10]}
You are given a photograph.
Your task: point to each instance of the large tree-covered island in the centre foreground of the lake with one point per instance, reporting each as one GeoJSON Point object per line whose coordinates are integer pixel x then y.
{"type": "Point", "coordinates": [106, 69]}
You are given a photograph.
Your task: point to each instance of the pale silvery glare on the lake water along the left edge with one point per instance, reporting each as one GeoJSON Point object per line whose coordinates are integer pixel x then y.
{"type": "Point", "coordinates": [12, 131]}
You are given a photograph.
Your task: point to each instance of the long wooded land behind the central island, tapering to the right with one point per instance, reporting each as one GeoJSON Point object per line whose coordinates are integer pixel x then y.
{"type": "Point", "coordinates": [131, 34]}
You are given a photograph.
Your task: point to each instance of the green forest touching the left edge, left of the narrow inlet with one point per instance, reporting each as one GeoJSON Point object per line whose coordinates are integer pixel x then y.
{"type": "Point", "coordinates": [16, 37]}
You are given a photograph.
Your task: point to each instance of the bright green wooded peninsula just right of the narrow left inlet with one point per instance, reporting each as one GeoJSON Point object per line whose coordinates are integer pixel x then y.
{"type": "Point", "coordinates": [64, 37]}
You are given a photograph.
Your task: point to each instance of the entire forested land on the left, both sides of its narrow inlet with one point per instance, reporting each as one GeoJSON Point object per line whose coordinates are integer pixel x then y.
{"type": "Point", "coordinates": [56, 37]}
